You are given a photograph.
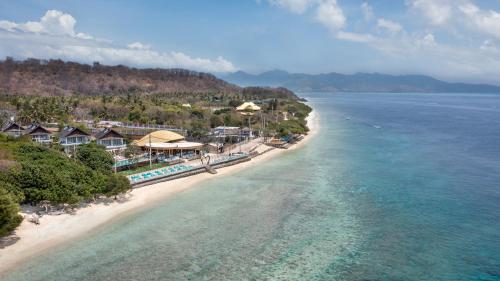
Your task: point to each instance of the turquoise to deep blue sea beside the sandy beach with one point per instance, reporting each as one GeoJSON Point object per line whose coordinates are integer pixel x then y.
{"type": "Point", "coordinates": [394, 187]}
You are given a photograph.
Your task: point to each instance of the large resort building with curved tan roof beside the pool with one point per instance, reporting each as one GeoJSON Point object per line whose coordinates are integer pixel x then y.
{"type": "Point", "coordinates": [169, 144]}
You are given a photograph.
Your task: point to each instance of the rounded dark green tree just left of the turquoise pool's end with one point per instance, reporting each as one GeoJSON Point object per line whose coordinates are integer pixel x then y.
{"type": "Point", "coordinates": [95, 157]}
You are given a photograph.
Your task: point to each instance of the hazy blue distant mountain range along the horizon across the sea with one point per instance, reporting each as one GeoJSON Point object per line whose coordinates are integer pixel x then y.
{"type": "Point", "coordinates": [359, 82]}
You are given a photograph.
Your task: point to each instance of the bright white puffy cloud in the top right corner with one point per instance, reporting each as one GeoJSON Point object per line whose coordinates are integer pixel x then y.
{"type": "Point", "coordinates": [487, 22]}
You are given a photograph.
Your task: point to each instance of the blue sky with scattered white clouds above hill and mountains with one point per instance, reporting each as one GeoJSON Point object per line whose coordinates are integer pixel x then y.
{"type": "Point", "coordinates": [454, 40]}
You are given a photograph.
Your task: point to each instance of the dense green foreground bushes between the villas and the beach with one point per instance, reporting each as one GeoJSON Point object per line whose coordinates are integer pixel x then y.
{"type": "Point", "coordinates": [35, 174]}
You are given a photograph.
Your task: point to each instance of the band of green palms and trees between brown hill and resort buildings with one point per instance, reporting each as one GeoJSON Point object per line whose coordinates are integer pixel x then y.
{"type": "Point", "coordinates": [208, 110]}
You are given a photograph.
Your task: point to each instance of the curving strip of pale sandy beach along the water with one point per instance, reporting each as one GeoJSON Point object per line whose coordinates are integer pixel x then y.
{"type": "Point", "coordinates": [56, 230]}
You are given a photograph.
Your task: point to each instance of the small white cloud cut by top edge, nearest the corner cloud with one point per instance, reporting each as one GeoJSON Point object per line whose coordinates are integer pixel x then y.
{"type": "Point", "coordinates": [438, 12]}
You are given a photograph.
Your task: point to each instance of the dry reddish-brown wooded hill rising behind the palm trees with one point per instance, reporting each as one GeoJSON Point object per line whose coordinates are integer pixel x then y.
{"type": "Point", "coordinates": [59, 78]}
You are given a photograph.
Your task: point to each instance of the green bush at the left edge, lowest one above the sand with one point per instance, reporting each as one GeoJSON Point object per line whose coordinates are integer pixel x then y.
{"type": "Point", "coordinates": [9, 212]}
